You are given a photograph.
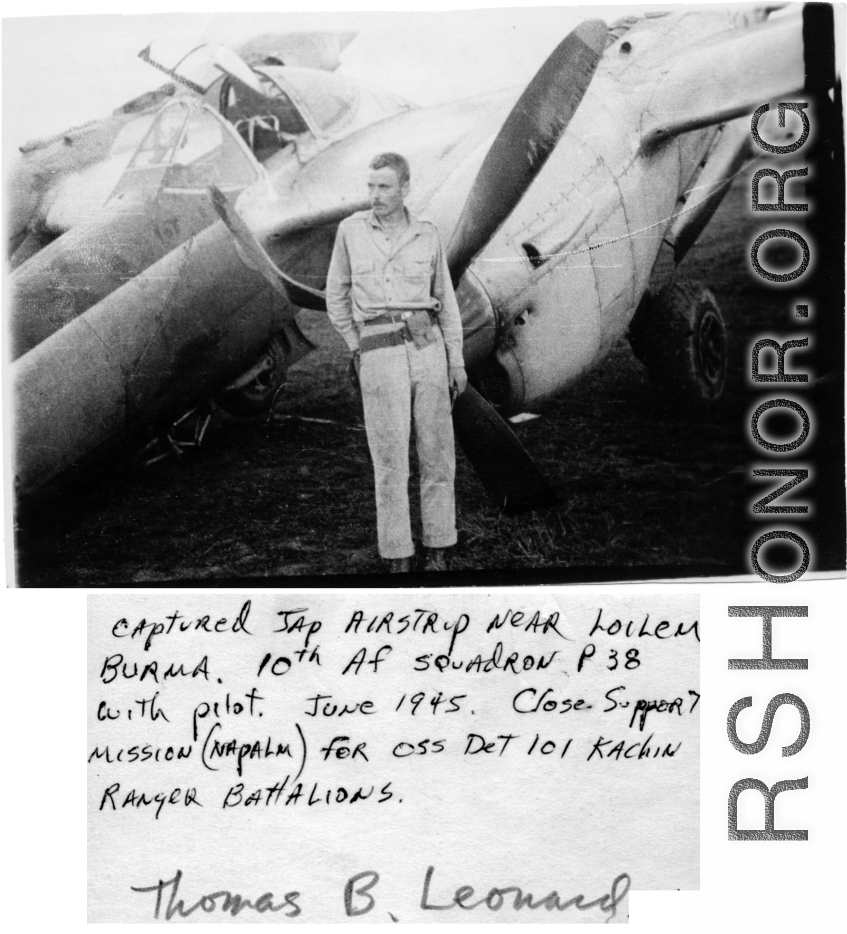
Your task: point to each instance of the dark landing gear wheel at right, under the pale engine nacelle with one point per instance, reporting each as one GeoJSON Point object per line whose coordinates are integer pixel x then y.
{"type": "Point", "coordinates": [680, 337]}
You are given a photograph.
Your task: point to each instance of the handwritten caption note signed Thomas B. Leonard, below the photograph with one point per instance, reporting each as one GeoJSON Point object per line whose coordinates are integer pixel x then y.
{"type": "Point", "coordinates": [423, 757]}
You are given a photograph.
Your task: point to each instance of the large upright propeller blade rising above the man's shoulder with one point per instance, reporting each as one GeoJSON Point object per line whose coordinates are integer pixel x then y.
{"type": "Point", "coordinates": [527, 138]}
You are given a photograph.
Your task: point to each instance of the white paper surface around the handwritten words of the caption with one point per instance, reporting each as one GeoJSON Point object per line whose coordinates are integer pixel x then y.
{"type": "Point", "coordinates": [524, 818]}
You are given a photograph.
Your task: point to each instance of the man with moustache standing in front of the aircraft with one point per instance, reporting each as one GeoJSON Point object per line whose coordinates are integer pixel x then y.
{"type": "Point", "coordinates": [390, 297]}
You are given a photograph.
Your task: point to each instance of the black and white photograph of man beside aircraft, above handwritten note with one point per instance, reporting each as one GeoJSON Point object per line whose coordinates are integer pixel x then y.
{"type": "Point", "coordinates": [530, 295]}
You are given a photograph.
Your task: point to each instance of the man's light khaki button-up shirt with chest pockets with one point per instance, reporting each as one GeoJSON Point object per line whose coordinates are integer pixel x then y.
{"type": "Point", "coordinates": [369, 275]}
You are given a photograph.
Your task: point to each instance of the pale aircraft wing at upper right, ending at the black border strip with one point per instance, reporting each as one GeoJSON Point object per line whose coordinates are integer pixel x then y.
{"type": "Point", "coordinates": [726, 78]}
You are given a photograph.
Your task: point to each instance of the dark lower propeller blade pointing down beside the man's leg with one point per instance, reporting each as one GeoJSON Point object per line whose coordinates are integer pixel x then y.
{"type": "Point", "coordinates": [507, 472]}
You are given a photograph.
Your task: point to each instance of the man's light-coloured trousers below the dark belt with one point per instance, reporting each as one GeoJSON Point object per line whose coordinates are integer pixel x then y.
{"type": "Point", "coordinates": [400, 383]}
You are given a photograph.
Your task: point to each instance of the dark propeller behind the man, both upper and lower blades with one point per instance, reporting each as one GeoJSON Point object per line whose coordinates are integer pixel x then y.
{"type": "Point", "coordinates": [530, 133]}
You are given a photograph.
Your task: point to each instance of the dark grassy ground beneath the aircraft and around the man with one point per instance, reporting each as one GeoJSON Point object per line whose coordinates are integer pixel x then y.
{"type": "Point", "coordinates": [647, 491]}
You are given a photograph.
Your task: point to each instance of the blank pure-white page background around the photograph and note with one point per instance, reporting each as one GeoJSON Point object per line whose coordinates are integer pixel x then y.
{"type": "Point", "coordinates": [780, 887]}
